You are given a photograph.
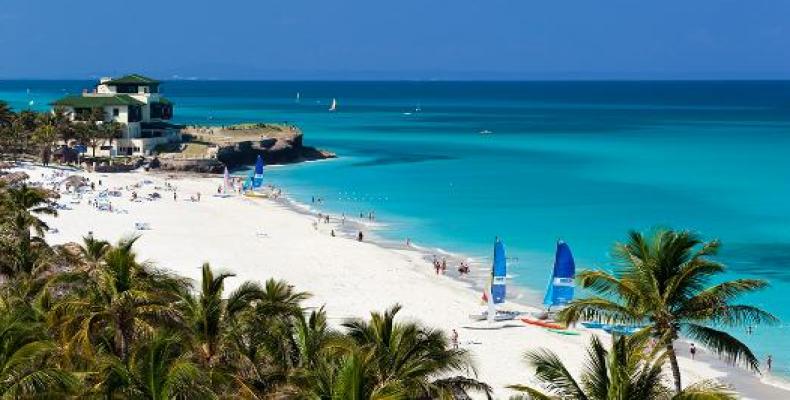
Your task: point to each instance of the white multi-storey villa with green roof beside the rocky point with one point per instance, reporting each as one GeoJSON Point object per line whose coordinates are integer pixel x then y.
{"type": "Point", "coordinates": [135, 102]}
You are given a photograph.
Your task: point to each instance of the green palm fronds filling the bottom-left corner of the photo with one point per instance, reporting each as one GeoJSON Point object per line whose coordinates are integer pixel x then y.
{"type": "Point", "coordinates": [27, 357]}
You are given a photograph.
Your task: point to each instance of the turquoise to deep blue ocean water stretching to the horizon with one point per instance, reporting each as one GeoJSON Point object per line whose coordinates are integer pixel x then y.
{"type": "Point", "coordinates": [581, 161]}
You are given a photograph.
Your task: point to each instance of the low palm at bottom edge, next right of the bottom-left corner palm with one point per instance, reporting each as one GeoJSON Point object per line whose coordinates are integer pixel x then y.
{"type": "Point", "coordinates": [158, 368]}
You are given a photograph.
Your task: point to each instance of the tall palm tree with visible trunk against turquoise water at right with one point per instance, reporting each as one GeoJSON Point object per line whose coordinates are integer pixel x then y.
{"type": "Point", "coordinates": [664, 282]}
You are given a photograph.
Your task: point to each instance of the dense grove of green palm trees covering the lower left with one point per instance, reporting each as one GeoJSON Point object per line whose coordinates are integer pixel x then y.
{"type": "Point", "coordinates": [92, 320]}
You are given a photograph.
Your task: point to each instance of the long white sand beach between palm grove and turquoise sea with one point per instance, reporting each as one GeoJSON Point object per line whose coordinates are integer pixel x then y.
{"type": "Point", "coordinates": [259, 239]}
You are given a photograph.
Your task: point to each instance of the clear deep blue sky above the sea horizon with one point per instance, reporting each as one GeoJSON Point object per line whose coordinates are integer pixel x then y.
{"type": "Point", "coordinates": [400, 39]}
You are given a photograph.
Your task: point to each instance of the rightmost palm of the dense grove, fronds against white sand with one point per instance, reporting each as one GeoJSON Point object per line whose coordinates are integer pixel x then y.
{"type": "Point", "coordinates": [415, 359]}
